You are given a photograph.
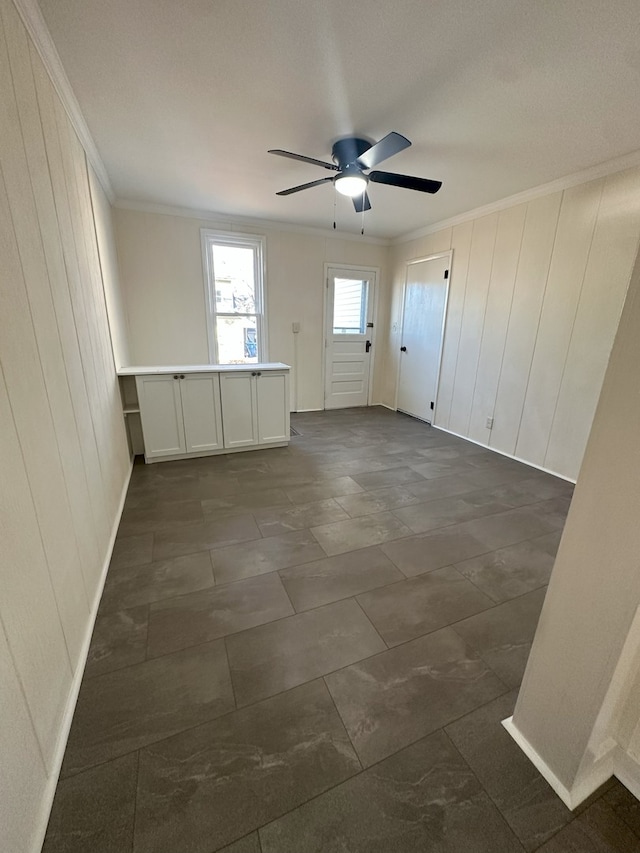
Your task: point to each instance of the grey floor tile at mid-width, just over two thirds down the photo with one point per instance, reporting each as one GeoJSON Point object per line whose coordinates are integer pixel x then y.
{"type": "Point", "coordinates": [333, 578]}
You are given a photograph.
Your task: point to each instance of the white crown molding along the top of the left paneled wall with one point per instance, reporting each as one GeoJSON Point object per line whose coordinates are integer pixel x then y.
{"type": "Point", "coordinates": [32, 18]}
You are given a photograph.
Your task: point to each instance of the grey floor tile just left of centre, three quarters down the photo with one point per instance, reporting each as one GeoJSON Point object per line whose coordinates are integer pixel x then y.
{"type": "Point", "coordinates": [275, 657]}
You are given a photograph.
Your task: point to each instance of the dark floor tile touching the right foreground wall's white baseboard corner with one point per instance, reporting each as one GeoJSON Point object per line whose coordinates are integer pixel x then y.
{"type": "Point", "coordinates": [527, 802]}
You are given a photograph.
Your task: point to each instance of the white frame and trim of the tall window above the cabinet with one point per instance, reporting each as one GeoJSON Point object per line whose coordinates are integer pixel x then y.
{"type": "Point", "coordinates": [232, 238]}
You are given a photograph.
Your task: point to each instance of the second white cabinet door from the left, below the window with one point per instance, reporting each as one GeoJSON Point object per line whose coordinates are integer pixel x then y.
{"type": "Point", "coordinates": [201, 412]}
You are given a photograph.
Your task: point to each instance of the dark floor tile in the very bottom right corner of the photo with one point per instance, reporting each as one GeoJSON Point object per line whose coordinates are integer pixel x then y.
{"type": "Point", "coordinates": [597, 830]}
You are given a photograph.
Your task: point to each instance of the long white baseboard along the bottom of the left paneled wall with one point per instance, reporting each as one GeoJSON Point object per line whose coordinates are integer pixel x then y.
{"type": "Point", "coordinates": [65, 726]}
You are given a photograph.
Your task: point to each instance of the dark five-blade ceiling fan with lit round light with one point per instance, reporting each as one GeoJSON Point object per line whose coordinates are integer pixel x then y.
{"type": "Point", "coordinates": [352, 156]}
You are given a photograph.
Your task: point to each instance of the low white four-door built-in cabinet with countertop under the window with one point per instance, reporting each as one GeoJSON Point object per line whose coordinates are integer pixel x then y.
{"type": "Point", "coordinates": [199, 411]}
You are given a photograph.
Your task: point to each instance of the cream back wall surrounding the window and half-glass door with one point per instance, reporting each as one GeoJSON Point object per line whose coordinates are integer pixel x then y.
{"type": "Point", "coordinates": [162, 278]}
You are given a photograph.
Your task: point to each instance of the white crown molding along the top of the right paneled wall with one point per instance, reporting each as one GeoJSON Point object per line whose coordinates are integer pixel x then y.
{"type": "Point", "coordinates": [601, 170]}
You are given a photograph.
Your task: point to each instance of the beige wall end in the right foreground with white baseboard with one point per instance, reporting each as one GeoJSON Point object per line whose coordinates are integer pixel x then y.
{"type": "Point", "coordinates": [579, 705]}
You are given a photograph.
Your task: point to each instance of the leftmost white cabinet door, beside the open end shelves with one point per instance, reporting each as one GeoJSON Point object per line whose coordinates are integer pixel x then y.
{"type": "Point", "coordinates": [161, 415]}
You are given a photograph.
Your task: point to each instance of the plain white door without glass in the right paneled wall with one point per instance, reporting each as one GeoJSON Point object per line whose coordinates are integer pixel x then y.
{"type": "Point", "coordinates": [425, 305]}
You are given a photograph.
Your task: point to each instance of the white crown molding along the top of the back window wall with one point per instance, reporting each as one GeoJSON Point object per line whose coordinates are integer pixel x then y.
{"type": "Point", "coordinates": [228, 221]}
